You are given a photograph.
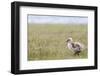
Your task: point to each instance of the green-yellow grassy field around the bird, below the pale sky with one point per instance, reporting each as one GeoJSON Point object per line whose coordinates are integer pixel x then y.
{"type": "Point", "coordinates": [48, 42]}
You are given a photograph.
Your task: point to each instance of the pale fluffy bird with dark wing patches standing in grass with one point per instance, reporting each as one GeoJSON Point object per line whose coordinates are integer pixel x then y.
{"type": "Point", "coordinates": [75, 47]}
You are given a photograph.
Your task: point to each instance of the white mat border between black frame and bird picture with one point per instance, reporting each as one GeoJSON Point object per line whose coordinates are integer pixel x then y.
{"type": "Point", "coordinates": [26, 65]}
